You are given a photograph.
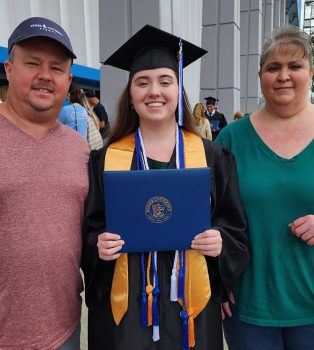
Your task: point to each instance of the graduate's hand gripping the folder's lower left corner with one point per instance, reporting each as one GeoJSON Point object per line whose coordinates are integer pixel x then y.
{"type": "Point", "coordinates": [109, 245]}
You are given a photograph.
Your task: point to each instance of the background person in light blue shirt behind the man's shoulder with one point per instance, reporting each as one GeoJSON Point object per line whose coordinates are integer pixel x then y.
{"type": "Point", "coordinates": [75, 115]}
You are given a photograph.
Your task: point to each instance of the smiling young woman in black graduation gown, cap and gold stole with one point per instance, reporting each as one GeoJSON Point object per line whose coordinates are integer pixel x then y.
{"type": "Point", "coordinates": [149, 128]}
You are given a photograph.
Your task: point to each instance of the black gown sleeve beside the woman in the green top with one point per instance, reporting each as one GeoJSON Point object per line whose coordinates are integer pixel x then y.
{"type": "Point", "coordinates": [228, 217]}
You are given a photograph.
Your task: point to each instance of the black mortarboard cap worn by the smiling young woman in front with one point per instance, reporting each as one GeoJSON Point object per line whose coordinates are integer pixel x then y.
{"type": "Point", "coordinates": [152, 48]}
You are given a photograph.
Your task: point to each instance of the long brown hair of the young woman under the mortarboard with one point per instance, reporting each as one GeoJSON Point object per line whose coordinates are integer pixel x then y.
{"type": "Point", "coordinates": [127, 120]}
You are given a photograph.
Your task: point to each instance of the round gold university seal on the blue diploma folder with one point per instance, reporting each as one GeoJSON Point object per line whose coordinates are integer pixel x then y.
{"type": "Point", "coordinates": [158, 209]}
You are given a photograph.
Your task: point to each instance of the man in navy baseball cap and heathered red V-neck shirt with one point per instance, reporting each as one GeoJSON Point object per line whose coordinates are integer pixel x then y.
{"type": "Point", "coordinates": [43, 185]}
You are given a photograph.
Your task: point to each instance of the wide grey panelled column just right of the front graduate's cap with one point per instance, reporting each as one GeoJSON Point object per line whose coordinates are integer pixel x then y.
{"type": "Point", "coordinates": [220, 68]}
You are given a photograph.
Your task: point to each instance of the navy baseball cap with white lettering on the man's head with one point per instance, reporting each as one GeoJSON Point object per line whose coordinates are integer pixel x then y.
{"type": "Point", "coordinates": [39, 26]}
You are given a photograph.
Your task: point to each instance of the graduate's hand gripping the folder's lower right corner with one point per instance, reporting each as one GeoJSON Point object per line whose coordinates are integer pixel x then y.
{"type": "Point", "coordinates": [208, 243]}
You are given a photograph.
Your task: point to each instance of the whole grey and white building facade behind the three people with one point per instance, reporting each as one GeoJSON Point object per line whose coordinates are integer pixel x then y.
{"type": "Point", "coordinates": [231, 30]}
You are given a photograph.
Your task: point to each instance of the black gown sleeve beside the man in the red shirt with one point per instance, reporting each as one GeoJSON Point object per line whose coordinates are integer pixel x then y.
{"type": "Point", "coordinates": [97, 273]}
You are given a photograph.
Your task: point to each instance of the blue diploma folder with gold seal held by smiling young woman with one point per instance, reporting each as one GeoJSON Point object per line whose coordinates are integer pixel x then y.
{"type": "Point", "coordinates": [157, 209]}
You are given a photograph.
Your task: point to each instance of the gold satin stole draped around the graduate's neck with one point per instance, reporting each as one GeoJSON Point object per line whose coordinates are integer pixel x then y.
{"type": "Point", "coordinates": [119, 157]}
